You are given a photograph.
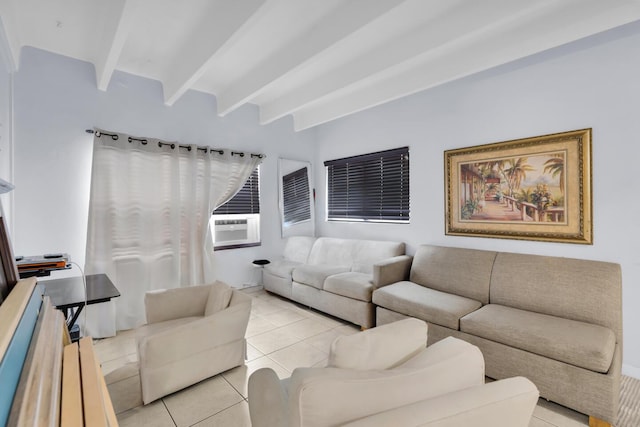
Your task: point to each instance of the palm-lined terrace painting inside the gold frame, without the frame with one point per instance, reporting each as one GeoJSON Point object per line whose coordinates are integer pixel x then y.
{"type": "Point", "coordinates": [523, 188]}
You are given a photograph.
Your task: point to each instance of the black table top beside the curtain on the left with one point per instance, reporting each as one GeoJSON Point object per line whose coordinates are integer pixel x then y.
{"type": "Point", "coordinates": [69, 292]}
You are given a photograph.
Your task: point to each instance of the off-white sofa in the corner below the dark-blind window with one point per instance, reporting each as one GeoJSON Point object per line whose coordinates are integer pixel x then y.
{"type": "Point", "coordinates": [336, 276]}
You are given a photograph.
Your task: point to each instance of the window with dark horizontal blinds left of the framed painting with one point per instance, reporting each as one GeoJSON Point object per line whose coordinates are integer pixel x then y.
{"type": "Point", "coordinates": [370, 187]}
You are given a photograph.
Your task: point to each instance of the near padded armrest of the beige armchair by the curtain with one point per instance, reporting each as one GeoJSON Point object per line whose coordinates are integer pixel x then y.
{"type": "Point", "coordinates": [186, 340]}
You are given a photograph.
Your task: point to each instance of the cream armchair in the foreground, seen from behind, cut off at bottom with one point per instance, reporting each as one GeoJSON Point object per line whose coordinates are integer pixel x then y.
{"type": "Point", "coordinates": [385, 376]}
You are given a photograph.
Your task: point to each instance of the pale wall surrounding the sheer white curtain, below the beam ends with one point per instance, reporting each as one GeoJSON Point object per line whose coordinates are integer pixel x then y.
{"type": "Point", "coordinates": [56, 100]}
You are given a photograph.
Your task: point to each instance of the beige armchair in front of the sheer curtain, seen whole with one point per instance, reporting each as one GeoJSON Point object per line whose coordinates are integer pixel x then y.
{"type": "Point", "coordinates": [191, 334]}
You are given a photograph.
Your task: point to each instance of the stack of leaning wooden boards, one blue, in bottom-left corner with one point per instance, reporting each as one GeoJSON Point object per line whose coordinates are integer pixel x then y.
{"type": "Point", "coordinates": [47, 380]}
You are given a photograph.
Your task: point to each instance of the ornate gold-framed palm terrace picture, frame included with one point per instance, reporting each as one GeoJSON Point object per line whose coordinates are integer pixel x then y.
{"type": "Point", "coordinates": [535, 188]}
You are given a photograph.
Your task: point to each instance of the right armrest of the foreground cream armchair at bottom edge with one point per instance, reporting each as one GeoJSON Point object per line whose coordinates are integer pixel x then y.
{"type": "Point", "coordinates": [504, 403]}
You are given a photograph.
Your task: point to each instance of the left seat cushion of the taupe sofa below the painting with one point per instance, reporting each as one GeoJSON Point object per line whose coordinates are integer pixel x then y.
{"type": "Point", "coordinates": [427, 304]}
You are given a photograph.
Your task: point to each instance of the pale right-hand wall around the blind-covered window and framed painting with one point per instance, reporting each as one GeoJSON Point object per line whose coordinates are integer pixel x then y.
{"type": "Point", "coordinates": [591, 83]}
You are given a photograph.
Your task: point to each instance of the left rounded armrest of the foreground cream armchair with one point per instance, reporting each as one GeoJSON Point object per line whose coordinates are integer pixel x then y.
{"type": "Point", "coordinates": [267, 399]}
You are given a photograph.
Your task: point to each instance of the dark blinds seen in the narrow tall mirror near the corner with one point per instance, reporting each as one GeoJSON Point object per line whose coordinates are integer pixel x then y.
{"type": "Point", "coordinates": [295, 195]}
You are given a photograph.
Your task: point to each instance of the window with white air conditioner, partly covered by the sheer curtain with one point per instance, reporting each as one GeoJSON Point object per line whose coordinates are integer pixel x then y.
{"type": "Point", "coordinates": [236, 224]}
